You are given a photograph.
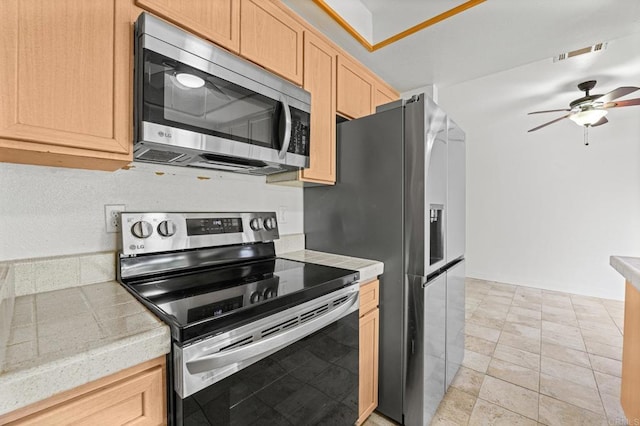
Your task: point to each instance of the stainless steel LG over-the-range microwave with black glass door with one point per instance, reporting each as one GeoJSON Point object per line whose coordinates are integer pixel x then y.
{"type": "Point", "coordinates": [197, 105]}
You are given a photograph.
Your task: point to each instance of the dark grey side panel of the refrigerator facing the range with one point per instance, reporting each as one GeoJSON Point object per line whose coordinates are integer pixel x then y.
{"type": "Point", "coordinates": [362, 216]}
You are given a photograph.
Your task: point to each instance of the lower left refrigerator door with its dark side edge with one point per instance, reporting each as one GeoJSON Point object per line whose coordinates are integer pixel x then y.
{"type": "Point", "coordinates": [426, 343]}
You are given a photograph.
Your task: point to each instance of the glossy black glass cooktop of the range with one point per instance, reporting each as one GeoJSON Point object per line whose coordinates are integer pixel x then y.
{"type": "Point", "coordinates": [205, 302]}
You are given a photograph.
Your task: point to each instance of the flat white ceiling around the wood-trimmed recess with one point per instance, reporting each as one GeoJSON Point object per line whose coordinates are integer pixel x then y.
{"type": "Point", "coordinates": [494, 36]}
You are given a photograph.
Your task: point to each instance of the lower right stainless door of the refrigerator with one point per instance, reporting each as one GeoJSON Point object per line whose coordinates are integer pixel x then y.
{"type": "Point", "coordinates": [455, 319]}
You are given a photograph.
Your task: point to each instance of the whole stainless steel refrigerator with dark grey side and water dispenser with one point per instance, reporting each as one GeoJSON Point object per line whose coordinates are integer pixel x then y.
{"type": "Point", "coordinates": [400, 198]}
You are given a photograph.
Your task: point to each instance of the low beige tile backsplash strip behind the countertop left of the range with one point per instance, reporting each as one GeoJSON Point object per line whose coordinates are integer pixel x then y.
{"type": "Point", "coordinates": [55, 273]}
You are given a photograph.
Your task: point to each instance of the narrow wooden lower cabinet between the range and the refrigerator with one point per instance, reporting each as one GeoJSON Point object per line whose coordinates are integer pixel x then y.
{"type": "Point", "coordinates": [369, 341]}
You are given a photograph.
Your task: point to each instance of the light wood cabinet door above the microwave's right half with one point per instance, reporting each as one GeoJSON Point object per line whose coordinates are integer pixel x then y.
{"type": "Point", "coordinates": [271, 38]}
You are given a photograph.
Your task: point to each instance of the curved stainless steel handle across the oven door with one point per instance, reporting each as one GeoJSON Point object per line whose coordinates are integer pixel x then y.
{"type": "Point", "coordinates": [271, 344]}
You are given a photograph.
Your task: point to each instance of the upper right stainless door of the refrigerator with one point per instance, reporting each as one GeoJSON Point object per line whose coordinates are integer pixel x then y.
{"type": "Point", "coordinates": [456, 176]}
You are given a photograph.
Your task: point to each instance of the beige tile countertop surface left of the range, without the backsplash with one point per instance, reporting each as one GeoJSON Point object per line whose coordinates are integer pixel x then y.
{"type": "Point", "coordinates": [65, 338]}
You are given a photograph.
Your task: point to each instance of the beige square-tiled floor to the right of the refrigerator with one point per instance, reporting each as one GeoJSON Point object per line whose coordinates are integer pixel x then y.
{"type": "Point", "coordinates": [535, 357]}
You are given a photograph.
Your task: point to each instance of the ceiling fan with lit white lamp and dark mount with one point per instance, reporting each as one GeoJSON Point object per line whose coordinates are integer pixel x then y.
{"type": "Point", "coordinates": [590, 110]}
